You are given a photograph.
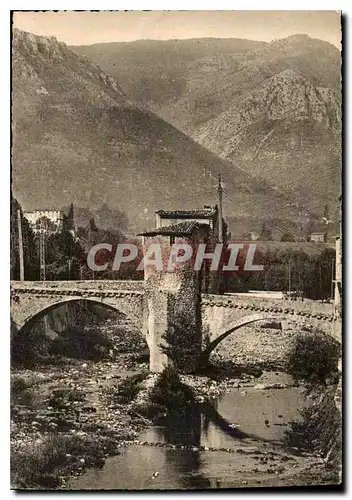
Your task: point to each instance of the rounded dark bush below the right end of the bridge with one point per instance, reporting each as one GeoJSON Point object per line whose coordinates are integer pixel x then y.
{"type": "Point", "coordinates": [314, 357]}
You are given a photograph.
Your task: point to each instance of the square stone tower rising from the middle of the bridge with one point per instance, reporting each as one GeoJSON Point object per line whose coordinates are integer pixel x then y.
{"type": "Point", "coordinates": [173, 297]}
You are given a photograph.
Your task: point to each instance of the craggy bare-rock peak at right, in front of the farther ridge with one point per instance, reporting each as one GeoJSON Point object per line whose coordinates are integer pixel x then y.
{"type": "Point", "coordinates": [287, 131]}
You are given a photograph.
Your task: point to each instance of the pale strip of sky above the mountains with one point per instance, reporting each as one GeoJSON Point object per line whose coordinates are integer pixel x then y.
{"type": "Point", "coordinates": [85, 28]}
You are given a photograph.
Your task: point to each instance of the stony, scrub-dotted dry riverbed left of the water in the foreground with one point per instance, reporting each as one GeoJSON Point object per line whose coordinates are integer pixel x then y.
{"type": "Point", "coordinates": [63, 409]}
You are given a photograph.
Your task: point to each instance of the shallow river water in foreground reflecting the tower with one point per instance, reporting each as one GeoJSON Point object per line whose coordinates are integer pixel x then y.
{"type": "Point", "coordinates": [236, 422]}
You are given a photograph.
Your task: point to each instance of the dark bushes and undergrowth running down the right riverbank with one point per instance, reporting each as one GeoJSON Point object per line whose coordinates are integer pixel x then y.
{"type": "Point", "coordinates": [314, 360]}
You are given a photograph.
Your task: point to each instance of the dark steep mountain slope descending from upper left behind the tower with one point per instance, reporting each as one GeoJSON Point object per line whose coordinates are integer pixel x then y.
{"type": "Point", "coordinates": [78, 138]}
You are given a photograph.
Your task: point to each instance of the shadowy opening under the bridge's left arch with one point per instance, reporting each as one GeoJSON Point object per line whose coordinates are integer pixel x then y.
{"type": "Point", "coordinates": [84, 329]}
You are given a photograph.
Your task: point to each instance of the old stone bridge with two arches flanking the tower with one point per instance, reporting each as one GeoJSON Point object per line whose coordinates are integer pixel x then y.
{"type": "Point", "coordinates": [149, 308]}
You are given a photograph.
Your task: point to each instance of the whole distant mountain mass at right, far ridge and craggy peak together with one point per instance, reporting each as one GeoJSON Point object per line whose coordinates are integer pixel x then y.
{"type": "Point", "coordinates": [272, 109]}
